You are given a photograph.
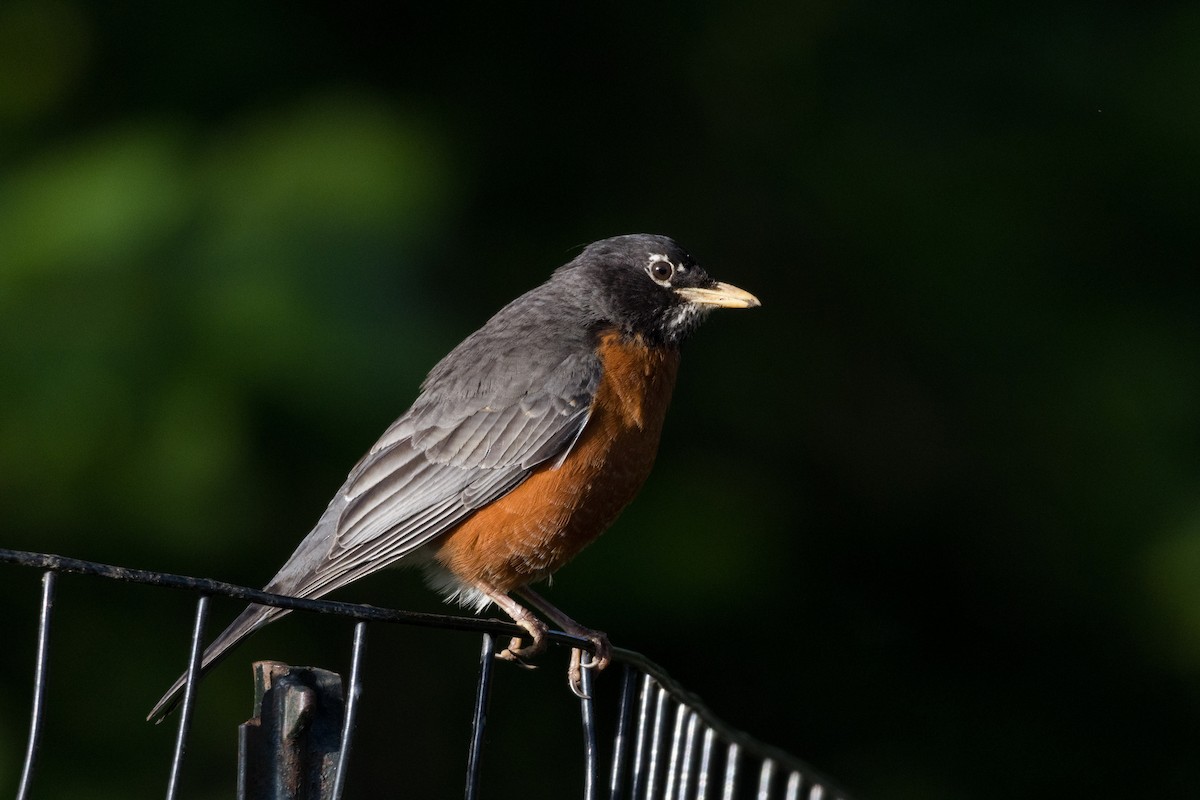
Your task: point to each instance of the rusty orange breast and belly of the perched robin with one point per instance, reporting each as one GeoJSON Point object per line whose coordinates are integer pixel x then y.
{"type": "Point", "coordinates": [542, 525]}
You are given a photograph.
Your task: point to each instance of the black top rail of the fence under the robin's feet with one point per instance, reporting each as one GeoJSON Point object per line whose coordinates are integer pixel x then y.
{"type": "Point", "coordinates": [62, 564]}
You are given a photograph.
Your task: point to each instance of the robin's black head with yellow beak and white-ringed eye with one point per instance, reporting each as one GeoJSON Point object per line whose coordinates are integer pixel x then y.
{"type": "Point", "coordinates": [649, 286]}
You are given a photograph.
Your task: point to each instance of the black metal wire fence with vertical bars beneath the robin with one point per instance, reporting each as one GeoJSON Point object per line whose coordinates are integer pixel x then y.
{"type": "Point", "coordinates": [668, 745]}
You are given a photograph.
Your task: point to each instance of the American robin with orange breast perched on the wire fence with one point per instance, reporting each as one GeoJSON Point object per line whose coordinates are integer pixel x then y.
{"type": "Point", "coordinates": [525, 444]}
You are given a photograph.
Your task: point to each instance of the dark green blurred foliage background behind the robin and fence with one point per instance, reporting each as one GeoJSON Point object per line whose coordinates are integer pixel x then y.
{"type": "Point", "coordinates": [929, 520]}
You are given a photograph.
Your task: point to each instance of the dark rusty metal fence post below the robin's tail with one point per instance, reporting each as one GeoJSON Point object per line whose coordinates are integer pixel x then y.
{"type": "Point", "coordinates": [289, 751]}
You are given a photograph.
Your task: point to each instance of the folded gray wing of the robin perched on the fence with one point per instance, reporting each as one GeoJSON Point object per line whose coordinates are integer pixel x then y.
{"type": "Point", "coordinates": [452, 454]}
